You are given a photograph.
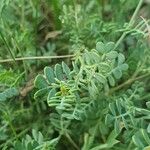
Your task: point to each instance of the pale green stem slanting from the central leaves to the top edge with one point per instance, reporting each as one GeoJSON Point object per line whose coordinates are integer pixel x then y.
{"type": "Point", "coordinates": [131, 22]}
